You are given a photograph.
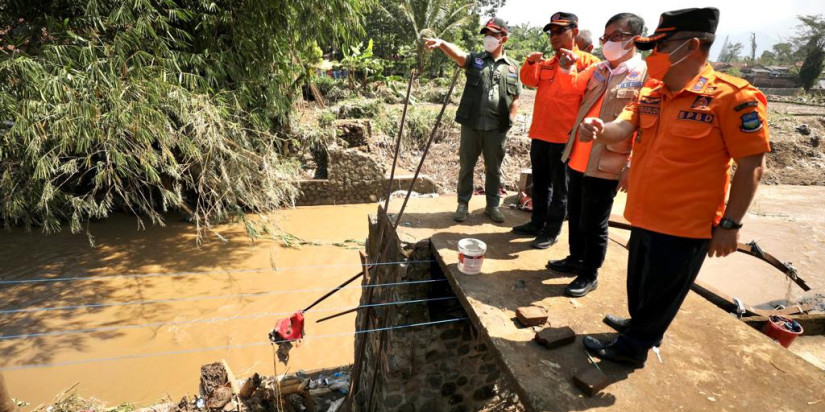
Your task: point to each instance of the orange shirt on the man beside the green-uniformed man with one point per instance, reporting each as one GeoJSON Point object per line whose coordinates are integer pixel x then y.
{"type": "Point", "coordinates": [557, 103]}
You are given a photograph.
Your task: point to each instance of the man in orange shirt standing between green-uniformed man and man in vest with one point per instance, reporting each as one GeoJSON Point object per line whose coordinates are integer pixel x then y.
{"type": "Point", "coordinates": [554, 114]}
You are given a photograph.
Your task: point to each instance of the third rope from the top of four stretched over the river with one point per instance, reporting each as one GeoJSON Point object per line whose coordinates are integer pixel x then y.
{"type": "Point", "coordinates": [209, 320]}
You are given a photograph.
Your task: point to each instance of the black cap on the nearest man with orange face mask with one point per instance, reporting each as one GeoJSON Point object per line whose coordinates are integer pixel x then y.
{"type": "Point", "coordinates": [685, 20]}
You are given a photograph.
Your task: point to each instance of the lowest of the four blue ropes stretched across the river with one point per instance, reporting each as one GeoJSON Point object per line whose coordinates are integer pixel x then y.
{"type": "Point", "coordinates": [216, 348]}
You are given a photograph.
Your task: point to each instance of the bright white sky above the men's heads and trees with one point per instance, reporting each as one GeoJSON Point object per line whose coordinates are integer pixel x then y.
{"type": "Point", "coordinates": [773, 21]}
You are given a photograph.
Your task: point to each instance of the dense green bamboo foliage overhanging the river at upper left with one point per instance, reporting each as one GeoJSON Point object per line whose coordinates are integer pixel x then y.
{"type": "Point", "coordinates": [156, 105]}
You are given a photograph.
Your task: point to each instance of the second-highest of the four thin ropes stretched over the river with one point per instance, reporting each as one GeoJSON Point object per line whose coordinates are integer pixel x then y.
{"type": "Point", "coordinates": [202, 298]}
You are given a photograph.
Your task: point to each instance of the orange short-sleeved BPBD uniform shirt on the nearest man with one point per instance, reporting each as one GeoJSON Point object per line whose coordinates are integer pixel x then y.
{"type": "Point", "coordinates": [682, 152]}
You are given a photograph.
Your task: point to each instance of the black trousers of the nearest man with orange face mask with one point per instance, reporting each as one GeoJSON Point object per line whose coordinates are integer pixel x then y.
{"type": "Point", "coordinates": [660, 270]}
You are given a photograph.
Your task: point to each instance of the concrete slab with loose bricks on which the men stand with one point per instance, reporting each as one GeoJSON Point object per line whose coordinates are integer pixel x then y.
{"type": "Point", "coordinates": [711, 360]}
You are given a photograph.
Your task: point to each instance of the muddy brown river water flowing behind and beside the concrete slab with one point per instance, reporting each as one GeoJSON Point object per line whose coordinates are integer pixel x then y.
{"type": "Point", "coordinates": [785, 219]}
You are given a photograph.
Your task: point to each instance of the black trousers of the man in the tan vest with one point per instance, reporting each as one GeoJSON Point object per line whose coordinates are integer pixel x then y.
{"type": "Point", "coordinates": [589, 202]}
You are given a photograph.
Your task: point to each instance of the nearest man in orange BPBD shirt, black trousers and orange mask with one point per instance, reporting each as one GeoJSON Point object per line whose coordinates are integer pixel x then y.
{"type": "Point", "coordinates": [690, 125]}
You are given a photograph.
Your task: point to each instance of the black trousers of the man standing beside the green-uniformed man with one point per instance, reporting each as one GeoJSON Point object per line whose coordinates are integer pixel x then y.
{"type": "Point", "coordinates": [549, 185]}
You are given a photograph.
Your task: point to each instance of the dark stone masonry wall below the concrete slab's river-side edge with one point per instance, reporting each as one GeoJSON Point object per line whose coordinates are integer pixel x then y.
{"type": "Point", "coordinates": [444, 367]}
